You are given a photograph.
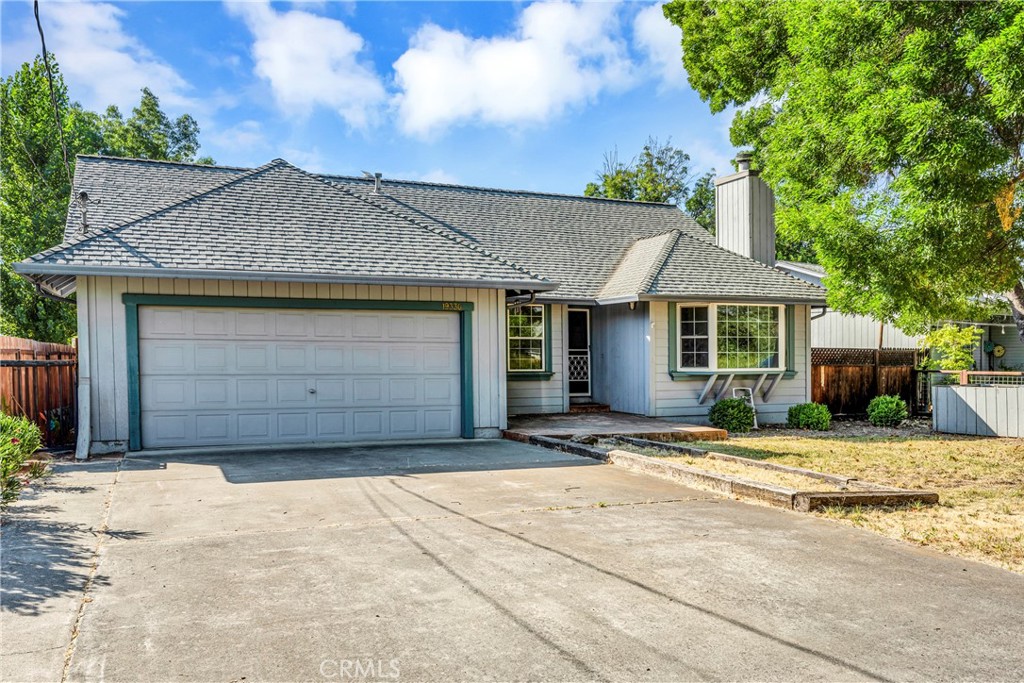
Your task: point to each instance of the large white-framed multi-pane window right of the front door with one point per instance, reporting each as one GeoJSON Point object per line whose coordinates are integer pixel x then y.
{"type": "Point", "coordinates": [730, 337]}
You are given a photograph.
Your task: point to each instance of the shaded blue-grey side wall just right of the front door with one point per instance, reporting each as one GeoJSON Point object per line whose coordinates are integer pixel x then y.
{"type": "Point", "coordinates": [620, 357]}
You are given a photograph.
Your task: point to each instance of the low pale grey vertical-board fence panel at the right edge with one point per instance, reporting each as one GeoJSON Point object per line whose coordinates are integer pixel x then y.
{"type": "Point", "coordinates": [982, 411]}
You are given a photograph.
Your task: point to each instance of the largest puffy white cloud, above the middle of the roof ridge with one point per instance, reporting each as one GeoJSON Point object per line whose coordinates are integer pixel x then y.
{"type": "Point", "coordinates": [561, 56]}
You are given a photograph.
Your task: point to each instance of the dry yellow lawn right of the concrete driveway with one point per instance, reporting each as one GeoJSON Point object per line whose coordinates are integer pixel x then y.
{"type": "Point", "coordinates": [980, 483]}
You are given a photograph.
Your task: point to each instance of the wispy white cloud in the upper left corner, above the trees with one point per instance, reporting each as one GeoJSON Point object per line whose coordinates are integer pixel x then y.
{"type": "Point", "coordinates": [103, 64]}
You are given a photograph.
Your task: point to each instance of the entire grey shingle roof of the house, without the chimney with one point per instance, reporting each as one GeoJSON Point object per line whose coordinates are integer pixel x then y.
{"type": "Point", "coordinates": [276, 224]}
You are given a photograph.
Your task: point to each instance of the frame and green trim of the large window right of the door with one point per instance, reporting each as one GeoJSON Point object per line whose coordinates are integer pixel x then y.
{"type": "Point", "coordinates": [786, 333]}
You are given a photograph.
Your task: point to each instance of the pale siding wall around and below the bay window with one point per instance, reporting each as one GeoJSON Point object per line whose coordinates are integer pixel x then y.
{"type": "Point", "coordinates": [672, 399]}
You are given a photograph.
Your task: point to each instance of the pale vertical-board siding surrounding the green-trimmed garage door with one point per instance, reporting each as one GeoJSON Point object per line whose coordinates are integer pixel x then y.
{"type": "Point", "coordinates": [107, 347]}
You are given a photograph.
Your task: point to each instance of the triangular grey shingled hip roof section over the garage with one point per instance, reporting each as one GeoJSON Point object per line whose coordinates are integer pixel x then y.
{"type": "Point", "coordinates": [279, 220]}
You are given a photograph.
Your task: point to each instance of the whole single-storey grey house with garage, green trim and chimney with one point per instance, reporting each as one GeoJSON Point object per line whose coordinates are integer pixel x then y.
{"type": "Point", "coordinates": [223, 306]}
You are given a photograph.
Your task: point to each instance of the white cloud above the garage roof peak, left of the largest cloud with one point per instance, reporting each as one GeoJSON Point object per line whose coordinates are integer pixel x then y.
{"type": "Point", "coordinates": [312, 61]}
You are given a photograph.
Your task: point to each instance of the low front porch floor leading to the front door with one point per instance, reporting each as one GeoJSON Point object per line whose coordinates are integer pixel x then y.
{"type": "Point", "coordinates": [608, 424]}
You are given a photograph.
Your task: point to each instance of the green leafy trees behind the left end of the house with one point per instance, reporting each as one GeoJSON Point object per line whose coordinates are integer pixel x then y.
{"type": "Point", "coordinates": [35, 187]}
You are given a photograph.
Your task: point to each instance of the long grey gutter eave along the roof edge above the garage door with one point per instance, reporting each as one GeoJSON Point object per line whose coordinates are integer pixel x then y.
{"type": "Point", "coordinates": [30, 271]}
